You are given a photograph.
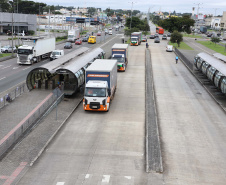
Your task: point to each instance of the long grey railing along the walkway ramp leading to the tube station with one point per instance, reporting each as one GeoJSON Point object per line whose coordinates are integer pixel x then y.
{"type": "Point", "coordinates": [29, 120]}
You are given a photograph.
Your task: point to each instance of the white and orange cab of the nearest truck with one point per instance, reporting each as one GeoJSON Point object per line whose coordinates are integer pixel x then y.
{"type": "Point", "coordinates": [97, 96]}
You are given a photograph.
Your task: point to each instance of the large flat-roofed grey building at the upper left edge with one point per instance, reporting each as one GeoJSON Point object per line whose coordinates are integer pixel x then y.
{"type": "Point", "coordinates": [21, 22]}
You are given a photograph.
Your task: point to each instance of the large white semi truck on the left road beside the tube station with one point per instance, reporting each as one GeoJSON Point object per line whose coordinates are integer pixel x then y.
{"type": "Point", "coordinates": [34, 49]}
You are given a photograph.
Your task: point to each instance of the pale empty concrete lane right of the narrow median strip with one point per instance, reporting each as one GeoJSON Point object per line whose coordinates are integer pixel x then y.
{"type": "Point", "coordinates": [192, 125]}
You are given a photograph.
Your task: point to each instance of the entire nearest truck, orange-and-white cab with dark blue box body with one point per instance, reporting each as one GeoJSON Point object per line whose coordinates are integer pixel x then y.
{"type": "Point", "coordinates": [101, 84]}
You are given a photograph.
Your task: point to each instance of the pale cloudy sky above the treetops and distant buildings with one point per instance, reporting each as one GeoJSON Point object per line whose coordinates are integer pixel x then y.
{"type": "Point", "coordinates": [206, 6]}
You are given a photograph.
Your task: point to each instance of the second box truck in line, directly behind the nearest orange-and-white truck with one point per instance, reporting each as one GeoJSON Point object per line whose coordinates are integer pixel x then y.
{"type": "Point", "coordinates": [120, 53]}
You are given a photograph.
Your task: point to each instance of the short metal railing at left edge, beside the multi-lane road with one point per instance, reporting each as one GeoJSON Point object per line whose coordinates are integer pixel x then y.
{"type": "Point", "coordinates": [12, 95]}
